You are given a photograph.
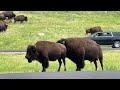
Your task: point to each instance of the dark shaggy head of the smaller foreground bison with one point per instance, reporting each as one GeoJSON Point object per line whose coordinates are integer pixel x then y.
{"type": "Point", "coordinates": [31, 53]}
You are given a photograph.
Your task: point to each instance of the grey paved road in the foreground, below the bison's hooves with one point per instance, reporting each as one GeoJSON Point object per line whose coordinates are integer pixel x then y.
{"type": "Point", "coordinates": [64, 75]}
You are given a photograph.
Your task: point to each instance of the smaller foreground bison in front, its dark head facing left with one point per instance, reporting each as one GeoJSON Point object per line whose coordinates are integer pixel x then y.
{"type": "Point", "coordinates": [43, 51]}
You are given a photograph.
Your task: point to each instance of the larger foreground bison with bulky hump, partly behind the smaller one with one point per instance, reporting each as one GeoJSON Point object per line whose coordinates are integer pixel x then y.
{"type": "Point", "coordinates": [81, 49]}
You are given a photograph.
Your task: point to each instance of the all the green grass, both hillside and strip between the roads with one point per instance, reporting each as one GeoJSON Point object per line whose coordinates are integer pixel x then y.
{"type": "Point", "coordinates": [51, 26]}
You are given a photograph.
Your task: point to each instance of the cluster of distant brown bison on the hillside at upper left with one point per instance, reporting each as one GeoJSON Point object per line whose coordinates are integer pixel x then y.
{"type": "Point", "coordinates": [6, 18]}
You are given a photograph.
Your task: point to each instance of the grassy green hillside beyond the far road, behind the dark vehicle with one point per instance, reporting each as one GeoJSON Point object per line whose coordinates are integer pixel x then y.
{"type": "Point", "coordinates": [53, 25]}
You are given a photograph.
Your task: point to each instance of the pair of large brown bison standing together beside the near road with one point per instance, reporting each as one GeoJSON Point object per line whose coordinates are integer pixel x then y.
{"type": "Point", "coordinates": [76, 49]}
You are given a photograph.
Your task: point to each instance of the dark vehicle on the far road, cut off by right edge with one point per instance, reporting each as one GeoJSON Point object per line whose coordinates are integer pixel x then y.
{"type": "Point", "coordinates": [106, 38]}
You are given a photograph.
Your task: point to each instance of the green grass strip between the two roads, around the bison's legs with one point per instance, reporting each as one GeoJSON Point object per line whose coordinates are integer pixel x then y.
{"type": "Point", "coordinates": [16, 63]}
